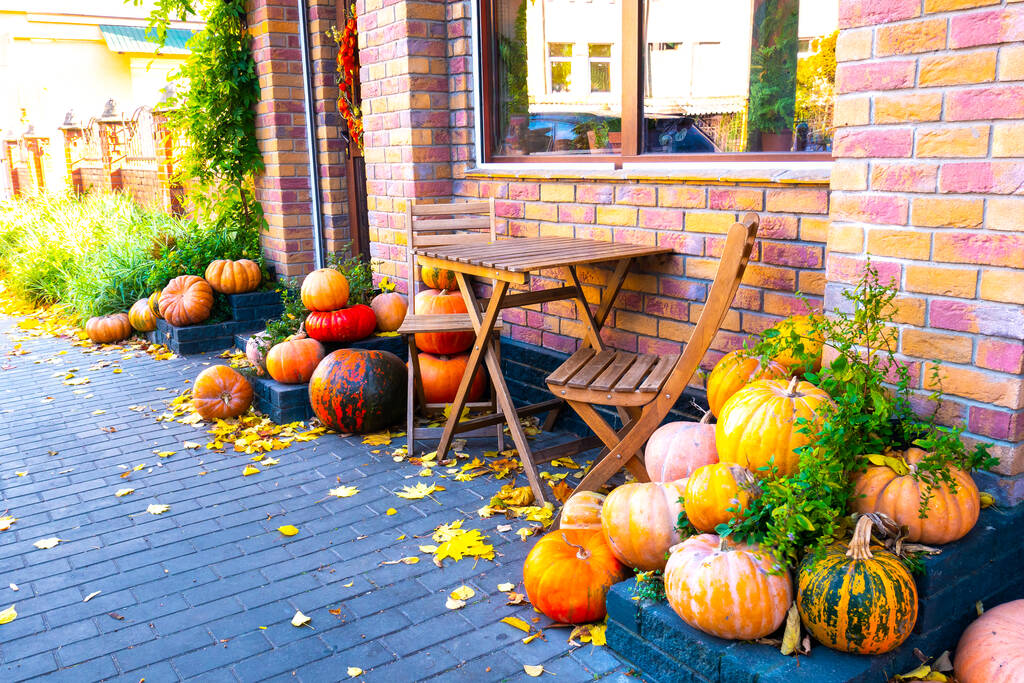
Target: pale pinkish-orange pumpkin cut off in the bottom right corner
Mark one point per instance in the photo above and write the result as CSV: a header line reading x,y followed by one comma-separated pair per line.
x,y
992,651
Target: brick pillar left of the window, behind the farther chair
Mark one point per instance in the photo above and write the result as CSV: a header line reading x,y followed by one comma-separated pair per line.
x,y
404,49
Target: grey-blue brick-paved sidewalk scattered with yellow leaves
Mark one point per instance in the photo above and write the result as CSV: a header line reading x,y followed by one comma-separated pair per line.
x,y
196,585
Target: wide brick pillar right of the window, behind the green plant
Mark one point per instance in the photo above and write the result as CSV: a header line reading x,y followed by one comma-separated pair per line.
x,y
927,184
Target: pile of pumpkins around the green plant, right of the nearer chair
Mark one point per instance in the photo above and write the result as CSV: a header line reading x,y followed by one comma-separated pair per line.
x,y
711,473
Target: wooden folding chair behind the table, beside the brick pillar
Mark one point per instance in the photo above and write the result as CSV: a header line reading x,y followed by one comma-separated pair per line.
x,y
432,226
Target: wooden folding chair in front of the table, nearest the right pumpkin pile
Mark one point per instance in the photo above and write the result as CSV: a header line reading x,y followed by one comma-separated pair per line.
x,y
645,388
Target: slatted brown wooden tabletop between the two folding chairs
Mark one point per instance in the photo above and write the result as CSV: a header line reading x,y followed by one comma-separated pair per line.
x,y
531,254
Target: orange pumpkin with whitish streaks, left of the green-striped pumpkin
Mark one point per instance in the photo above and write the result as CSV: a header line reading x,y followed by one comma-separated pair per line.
x,y
730,590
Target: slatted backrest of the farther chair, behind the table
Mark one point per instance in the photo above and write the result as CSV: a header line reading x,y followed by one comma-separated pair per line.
x,y
439,225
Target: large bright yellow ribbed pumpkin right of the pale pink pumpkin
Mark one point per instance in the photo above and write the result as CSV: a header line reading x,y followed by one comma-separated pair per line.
x,y
758,425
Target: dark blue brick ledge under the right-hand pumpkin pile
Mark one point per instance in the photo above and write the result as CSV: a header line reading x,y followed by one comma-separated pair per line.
x,y
984,566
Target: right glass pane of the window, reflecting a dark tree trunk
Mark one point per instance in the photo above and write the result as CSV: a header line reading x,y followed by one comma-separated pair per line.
x,y
763,84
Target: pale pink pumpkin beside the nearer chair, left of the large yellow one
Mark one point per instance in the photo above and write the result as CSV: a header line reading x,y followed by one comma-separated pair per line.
x,y
676,449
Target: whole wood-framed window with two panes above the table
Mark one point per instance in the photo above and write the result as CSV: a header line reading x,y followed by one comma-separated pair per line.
x,y
660,80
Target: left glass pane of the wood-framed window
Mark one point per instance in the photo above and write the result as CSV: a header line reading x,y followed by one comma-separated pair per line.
x,y
559,70
